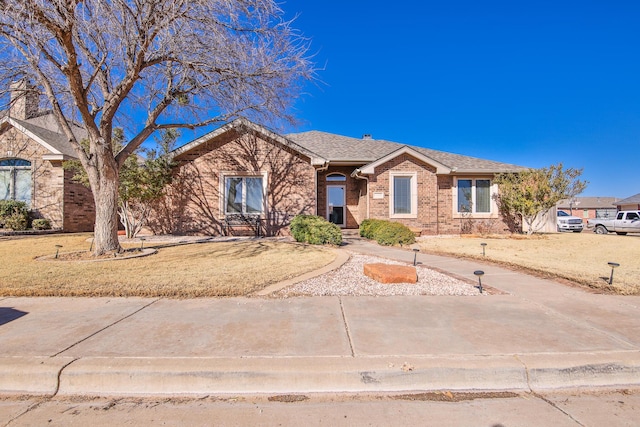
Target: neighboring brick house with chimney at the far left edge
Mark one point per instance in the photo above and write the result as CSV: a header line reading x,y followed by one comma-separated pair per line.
x,y
32,149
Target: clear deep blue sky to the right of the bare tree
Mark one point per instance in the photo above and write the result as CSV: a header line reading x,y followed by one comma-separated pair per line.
x,y
532,83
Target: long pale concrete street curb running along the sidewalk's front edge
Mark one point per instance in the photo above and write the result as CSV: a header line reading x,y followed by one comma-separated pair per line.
x,y
198,376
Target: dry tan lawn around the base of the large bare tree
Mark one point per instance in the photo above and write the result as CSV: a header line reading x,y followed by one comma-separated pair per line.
x,y
195,270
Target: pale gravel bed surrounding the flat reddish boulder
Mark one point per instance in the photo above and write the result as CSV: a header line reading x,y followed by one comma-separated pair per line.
x,y
349,280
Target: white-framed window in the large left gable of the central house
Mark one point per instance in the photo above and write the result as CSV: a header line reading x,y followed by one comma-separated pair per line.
x,y
243,195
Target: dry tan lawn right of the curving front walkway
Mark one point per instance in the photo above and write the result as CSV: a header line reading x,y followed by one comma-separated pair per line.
x,y
578,257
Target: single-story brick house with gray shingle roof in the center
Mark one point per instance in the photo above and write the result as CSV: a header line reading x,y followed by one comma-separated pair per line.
x,y
243,168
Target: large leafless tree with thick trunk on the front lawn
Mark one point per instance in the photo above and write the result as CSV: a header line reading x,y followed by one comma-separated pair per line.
x,y
162,63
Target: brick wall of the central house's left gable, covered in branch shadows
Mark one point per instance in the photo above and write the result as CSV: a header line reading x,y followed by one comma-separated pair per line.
x,y
194,204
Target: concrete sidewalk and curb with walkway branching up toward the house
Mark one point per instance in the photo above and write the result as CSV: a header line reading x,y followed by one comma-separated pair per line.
x,y
534,335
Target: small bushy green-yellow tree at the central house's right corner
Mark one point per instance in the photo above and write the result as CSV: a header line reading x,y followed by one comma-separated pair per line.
x,y
526,197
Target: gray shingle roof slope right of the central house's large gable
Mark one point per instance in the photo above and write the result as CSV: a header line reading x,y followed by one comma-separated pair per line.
x,y
338,148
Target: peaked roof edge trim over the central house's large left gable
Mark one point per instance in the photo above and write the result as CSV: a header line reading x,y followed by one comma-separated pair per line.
x,y
243,125
